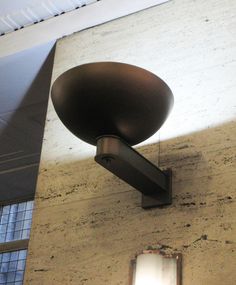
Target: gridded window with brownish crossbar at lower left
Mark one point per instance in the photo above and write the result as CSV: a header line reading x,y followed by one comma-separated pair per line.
x,y
15,223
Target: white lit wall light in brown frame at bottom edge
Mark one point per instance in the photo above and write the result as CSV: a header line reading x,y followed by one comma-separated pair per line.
x,y
153,268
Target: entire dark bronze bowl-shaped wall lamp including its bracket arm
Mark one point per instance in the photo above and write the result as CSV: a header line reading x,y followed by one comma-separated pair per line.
x,y
114,106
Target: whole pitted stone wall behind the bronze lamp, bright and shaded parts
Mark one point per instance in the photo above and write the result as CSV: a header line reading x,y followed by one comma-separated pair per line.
x,y
88,224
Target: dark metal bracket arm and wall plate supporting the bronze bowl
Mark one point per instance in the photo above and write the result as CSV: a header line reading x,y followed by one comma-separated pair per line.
x,y
129,165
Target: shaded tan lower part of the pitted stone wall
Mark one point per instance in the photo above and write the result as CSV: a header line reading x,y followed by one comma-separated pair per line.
x,y
92,219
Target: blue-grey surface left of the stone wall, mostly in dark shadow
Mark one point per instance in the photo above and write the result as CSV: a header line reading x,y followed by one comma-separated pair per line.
x,y
25,82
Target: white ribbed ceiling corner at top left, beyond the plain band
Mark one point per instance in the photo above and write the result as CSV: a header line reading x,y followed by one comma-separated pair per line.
x,y
18,14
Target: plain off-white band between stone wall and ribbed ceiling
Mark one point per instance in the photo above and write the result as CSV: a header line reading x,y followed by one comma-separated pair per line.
x,y
68,23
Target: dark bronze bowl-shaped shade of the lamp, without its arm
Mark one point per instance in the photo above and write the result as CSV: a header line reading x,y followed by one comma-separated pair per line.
x,y
110,98
